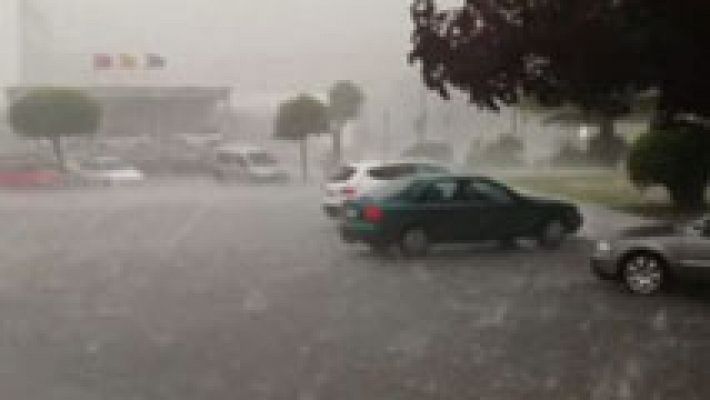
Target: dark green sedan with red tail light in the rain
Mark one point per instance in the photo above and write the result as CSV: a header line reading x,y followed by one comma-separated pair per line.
x,y
422,211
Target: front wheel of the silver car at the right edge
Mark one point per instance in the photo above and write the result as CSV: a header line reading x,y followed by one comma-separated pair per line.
x,y
643,273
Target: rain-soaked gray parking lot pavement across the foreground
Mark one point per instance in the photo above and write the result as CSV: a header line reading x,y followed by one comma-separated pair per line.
x,y
192,290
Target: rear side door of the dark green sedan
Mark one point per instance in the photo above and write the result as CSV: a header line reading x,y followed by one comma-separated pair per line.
x,y
438,211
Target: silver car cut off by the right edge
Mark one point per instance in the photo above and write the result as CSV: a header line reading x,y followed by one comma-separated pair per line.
x,y
645,259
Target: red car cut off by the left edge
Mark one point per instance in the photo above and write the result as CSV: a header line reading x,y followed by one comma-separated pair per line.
x,y
20,173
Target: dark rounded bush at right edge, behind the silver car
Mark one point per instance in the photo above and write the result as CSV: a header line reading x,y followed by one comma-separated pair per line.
x,y
677,158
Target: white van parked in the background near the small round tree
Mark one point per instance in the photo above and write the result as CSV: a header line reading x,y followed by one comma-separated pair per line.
x,y
247,163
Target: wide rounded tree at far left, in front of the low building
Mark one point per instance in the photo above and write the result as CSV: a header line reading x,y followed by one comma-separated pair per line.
x,y
54,113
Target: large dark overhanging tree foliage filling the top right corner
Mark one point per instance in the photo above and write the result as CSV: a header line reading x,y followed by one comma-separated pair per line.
x,y
598,55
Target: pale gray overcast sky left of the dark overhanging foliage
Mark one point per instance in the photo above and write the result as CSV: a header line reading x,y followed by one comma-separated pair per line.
x,y
260,46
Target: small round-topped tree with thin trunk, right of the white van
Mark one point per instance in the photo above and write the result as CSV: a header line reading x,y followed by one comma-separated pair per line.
x,y
299,117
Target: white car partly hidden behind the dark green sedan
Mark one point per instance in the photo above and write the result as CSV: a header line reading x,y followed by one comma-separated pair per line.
x,y
352,180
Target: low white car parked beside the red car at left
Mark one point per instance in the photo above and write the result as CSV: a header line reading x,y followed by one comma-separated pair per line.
x,y
104,171
